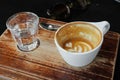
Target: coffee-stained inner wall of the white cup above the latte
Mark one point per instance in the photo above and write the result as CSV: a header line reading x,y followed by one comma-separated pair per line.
x,y
81,30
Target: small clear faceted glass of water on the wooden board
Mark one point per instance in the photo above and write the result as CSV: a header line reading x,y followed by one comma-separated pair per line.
x,y
24,29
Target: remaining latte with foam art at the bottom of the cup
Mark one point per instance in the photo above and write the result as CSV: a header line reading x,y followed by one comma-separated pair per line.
x,y
77,45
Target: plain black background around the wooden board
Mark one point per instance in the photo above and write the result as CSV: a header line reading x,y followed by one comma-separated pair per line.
x,y
99,10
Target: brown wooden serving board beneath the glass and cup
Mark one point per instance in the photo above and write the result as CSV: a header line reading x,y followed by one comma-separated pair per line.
x,y
45,63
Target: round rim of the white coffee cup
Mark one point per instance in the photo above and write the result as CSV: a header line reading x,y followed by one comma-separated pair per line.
x,y
77,53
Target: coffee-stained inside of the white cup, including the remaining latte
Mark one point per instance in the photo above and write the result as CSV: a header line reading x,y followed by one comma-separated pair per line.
x,y
79,37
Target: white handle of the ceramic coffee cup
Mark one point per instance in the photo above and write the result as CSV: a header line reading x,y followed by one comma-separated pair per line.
x,y
104,26
